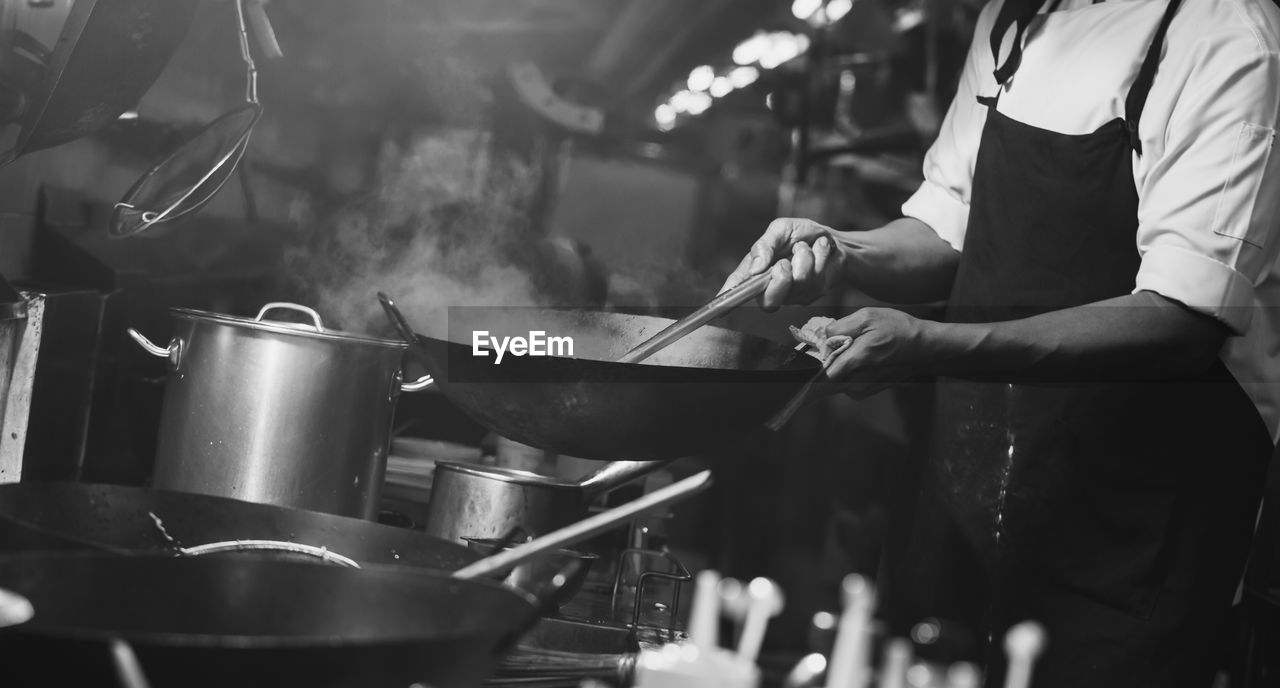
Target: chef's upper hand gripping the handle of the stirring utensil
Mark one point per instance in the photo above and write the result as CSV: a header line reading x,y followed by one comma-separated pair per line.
x,y
806,259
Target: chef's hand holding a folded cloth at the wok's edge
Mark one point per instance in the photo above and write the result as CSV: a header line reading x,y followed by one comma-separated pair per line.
x,y
889,347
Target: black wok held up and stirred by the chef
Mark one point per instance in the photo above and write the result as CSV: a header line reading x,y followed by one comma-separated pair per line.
x,y
708,388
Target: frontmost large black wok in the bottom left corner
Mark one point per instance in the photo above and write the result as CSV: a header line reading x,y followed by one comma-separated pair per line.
x,y
223,622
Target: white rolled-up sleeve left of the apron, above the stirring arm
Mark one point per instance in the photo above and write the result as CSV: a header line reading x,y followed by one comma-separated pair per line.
x,y
943,200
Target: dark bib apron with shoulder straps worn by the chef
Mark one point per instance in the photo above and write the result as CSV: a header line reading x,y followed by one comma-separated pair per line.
x,y
1117,513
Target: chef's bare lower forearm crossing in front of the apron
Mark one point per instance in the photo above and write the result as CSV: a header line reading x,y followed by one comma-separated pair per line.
x,y
1141,336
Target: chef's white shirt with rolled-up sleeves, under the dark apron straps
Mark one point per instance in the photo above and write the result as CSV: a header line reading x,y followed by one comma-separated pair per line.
x,y
1209,186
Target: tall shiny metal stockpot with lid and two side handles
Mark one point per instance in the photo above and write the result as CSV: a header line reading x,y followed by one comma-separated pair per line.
x,y
277,412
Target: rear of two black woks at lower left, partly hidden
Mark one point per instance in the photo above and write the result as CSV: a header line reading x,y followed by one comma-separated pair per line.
x,y
54,516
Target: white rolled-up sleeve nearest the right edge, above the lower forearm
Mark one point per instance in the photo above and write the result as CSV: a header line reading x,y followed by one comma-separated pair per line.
x,y
1209,213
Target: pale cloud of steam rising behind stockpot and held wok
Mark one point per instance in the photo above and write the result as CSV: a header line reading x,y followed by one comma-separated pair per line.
x,y
449,226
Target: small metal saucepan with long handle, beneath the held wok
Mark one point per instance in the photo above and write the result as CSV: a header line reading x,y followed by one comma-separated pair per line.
x,y
488,502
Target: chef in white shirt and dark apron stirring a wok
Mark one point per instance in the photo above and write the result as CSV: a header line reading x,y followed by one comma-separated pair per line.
x,y
1101,214
